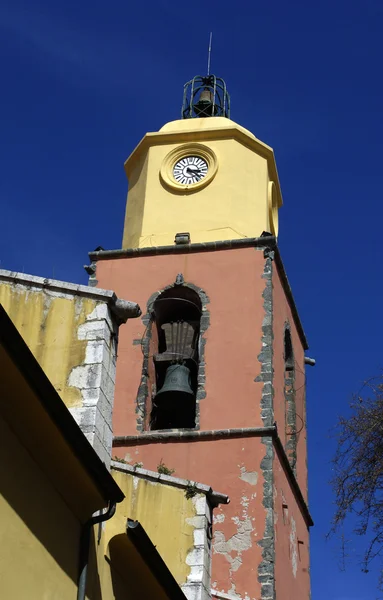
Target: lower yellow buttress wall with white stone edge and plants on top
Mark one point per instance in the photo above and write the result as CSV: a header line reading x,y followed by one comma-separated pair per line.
x,y
177,516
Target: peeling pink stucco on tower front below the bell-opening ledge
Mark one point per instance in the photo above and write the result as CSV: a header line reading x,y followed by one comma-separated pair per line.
x,y
233,468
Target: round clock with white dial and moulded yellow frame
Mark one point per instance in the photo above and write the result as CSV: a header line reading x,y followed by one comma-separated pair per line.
x,y
189,168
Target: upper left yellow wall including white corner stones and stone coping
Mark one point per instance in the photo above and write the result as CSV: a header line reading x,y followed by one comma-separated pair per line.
x,y
72,332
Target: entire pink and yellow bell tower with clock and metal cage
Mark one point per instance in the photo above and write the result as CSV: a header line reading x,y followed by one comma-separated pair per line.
x,y
211,380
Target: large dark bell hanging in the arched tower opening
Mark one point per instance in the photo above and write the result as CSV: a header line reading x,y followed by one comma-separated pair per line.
x,y
176,388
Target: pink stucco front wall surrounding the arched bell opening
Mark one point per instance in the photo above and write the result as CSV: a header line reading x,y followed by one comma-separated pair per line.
x,y
232,280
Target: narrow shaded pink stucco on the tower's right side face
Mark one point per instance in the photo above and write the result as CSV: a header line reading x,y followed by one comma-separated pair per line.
x,y
292,577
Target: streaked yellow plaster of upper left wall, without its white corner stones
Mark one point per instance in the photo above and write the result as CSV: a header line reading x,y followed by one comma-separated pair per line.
x,y
49,325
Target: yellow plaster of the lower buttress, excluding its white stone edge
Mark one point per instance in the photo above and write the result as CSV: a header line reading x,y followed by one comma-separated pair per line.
x,y
164,512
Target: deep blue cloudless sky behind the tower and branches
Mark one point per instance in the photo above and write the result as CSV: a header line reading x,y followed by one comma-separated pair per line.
x,y
83,81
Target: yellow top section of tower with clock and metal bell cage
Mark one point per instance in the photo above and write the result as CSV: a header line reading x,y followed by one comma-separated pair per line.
x,y
203,174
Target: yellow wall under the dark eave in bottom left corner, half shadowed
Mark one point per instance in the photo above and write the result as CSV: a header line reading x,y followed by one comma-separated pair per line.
x,y
39,535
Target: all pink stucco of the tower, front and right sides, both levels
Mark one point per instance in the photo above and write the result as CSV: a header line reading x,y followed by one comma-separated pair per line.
x,y
232,279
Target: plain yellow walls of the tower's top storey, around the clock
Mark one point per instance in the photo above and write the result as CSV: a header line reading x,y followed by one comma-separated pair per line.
x,y
234,205
